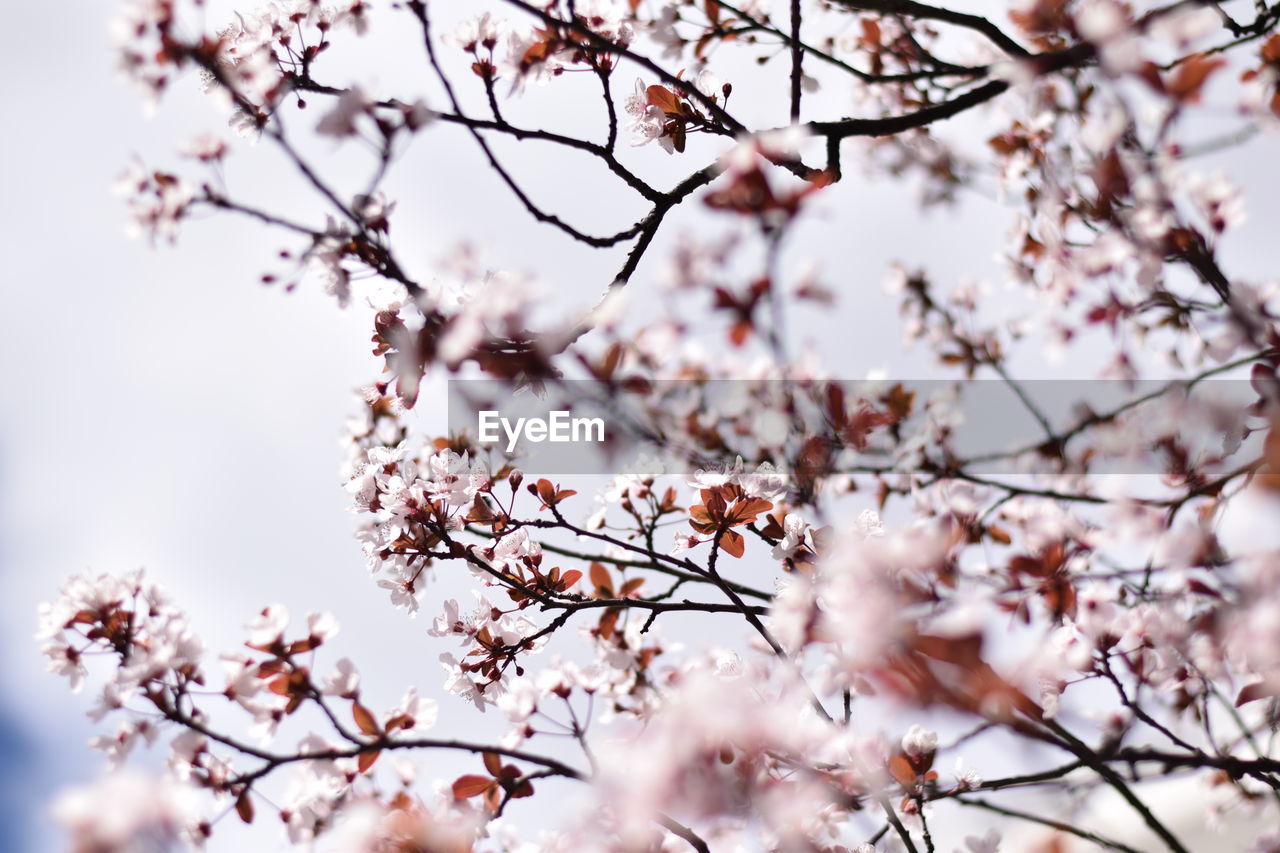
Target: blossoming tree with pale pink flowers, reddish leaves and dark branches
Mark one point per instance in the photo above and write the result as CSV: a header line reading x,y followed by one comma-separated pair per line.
x,y
880,610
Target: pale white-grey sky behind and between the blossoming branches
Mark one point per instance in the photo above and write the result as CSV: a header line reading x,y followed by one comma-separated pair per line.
x,y
163,409
